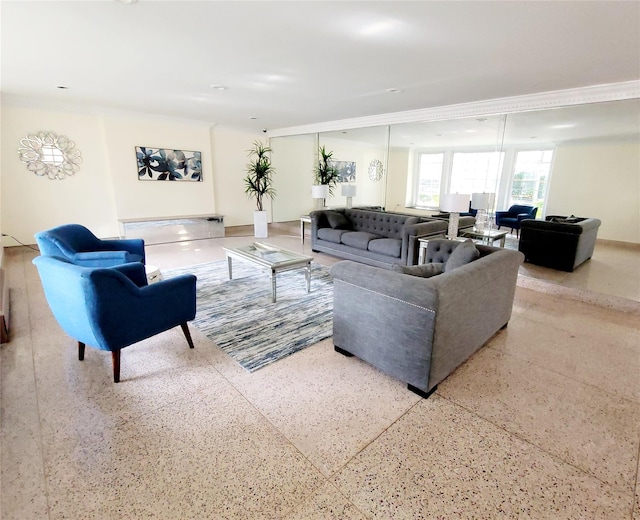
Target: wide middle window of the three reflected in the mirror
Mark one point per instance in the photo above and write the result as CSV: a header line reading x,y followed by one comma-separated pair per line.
x,y
475,172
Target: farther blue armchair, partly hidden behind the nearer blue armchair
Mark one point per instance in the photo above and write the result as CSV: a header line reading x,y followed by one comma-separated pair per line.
x,y
81,247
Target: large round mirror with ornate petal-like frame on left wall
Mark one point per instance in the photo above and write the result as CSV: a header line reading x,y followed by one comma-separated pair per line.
x,y
49,154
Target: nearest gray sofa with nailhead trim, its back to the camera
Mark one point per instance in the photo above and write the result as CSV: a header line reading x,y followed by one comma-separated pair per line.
x,y
420,323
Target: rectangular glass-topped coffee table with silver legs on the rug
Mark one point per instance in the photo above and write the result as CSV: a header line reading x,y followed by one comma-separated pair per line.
x,y
271,258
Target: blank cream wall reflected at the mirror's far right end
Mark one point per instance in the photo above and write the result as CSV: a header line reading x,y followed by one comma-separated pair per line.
x,y
602,180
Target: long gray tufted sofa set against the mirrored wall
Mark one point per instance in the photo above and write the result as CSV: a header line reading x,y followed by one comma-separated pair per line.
x,y
372,237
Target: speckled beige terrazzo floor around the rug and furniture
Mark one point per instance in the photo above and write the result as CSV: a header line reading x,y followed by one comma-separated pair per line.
x,y
542,423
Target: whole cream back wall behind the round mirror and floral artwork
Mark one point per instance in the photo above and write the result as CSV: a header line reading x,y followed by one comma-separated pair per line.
x,y
107,187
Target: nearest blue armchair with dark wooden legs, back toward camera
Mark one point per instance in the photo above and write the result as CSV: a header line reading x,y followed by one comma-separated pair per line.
x,y
112,308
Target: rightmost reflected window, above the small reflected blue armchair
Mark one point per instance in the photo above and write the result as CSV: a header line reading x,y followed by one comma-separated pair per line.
x,y
531,177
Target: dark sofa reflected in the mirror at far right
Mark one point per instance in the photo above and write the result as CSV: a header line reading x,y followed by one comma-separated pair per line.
x,y
558,242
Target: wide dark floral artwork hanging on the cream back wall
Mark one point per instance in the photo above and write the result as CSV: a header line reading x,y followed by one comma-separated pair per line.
x,y
158,164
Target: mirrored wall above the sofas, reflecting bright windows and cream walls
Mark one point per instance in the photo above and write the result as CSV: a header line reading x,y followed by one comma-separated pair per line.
x,y
582,160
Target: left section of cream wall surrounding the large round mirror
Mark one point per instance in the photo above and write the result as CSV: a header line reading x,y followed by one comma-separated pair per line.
x,y
31,203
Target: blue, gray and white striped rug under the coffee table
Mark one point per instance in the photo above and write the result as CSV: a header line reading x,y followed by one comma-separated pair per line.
x,y
239,317
